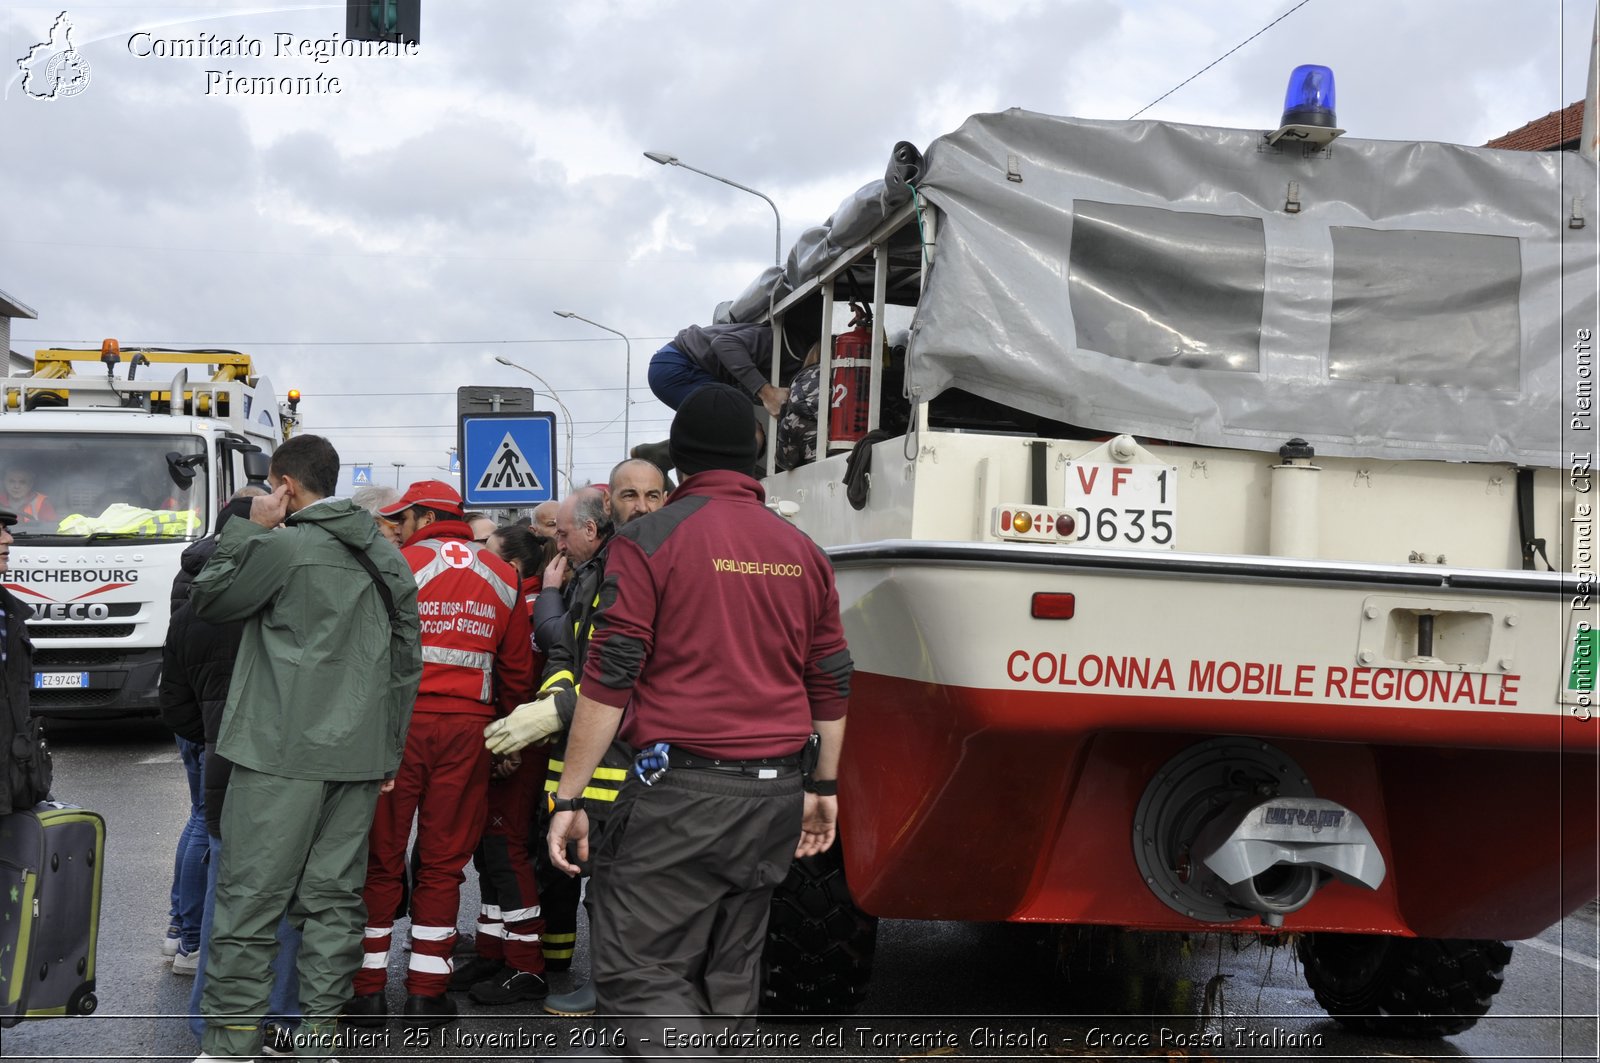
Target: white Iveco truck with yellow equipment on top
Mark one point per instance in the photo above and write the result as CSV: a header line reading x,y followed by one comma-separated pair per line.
x,y
118,475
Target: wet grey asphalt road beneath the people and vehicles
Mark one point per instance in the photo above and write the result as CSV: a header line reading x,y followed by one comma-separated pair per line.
x,y
975,992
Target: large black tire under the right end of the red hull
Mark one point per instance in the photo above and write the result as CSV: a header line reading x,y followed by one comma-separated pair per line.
x,y
1404,987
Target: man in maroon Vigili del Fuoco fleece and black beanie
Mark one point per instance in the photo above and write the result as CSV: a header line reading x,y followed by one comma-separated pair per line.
x,y
719,633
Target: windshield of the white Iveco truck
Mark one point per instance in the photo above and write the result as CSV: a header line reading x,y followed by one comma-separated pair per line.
x,y
105,486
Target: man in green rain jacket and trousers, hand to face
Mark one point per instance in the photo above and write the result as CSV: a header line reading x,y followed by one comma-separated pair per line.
x,y
314,724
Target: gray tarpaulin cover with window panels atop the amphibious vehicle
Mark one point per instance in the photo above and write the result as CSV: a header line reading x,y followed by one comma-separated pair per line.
x,y
1150,278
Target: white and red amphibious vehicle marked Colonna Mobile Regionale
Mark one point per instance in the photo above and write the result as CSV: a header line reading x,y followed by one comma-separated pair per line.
x,y
1212,545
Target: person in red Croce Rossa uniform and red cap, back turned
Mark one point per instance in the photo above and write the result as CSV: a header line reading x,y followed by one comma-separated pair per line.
x,y
478,664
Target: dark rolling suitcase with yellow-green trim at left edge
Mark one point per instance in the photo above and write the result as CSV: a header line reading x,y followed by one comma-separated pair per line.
x,y
52,862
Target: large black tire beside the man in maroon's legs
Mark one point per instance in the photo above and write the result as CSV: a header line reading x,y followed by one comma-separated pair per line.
x,y
820,945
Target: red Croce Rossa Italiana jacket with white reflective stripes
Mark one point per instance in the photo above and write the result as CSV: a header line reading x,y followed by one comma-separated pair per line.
x,y
478,652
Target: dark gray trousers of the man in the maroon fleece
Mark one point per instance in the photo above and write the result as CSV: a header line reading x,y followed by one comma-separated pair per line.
x,y
684,881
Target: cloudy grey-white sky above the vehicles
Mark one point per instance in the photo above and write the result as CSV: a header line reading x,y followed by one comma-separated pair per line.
x,y
382,246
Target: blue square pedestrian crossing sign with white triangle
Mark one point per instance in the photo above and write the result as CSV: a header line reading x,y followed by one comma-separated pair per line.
x,y
508,459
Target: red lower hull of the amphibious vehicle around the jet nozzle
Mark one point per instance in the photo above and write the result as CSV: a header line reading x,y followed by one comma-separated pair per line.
x,y
1018,804
